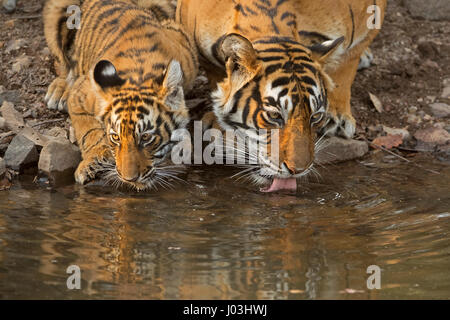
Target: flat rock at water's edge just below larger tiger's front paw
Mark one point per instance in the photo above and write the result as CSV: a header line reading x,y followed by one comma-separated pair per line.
x,y
338,149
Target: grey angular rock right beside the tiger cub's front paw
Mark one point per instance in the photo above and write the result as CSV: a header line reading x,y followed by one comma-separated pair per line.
x,y
59,160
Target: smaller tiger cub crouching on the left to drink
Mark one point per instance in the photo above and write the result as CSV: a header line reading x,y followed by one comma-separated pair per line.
x,y
122,76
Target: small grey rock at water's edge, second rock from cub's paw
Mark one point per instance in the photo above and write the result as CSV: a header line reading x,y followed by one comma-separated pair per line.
x,y
21,153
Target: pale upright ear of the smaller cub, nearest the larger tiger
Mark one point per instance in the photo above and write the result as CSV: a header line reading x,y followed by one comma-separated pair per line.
x,y
173,86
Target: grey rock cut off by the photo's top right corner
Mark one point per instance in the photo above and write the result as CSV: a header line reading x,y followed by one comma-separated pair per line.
x,y
430,9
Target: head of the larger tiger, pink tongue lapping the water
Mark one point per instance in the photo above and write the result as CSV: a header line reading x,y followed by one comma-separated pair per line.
x,y
275,83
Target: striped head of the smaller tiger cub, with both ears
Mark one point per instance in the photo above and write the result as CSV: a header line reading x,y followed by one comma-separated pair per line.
x,y
139,123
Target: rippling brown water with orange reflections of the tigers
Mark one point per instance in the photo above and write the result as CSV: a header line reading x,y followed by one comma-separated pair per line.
x,y
217,239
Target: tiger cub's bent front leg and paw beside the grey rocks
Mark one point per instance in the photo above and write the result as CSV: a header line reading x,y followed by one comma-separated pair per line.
x,y
90,133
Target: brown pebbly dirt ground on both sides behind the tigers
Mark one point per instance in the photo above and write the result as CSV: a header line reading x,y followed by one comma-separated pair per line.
x,y
412,61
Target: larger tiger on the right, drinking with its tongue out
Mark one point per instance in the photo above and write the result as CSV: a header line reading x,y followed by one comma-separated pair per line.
x,y
282,64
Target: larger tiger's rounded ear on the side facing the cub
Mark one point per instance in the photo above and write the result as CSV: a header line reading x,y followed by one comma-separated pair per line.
x,y
240,59
